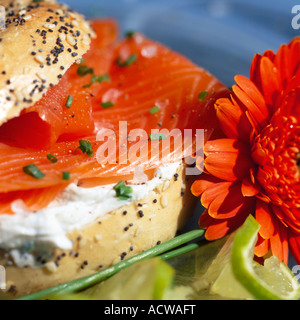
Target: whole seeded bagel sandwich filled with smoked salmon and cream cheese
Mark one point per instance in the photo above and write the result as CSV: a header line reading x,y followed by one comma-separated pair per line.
x,y
64,219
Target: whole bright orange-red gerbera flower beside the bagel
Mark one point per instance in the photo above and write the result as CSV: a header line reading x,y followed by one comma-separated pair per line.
x,y
255,168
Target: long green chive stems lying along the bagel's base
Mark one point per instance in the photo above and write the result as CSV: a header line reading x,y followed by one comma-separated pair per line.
x,y
83,283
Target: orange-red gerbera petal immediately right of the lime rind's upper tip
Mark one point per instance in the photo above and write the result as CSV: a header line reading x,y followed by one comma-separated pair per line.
x,y
263,215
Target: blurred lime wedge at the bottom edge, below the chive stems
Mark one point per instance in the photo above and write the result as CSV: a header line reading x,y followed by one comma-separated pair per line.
x,y
145,280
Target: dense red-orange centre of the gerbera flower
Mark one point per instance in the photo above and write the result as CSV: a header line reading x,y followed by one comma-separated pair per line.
x,y
276,152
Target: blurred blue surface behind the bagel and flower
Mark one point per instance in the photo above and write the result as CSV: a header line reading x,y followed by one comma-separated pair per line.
x,y
219,35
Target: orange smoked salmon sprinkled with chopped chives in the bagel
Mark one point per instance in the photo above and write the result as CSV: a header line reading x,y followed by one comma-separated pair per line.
x,y
135,81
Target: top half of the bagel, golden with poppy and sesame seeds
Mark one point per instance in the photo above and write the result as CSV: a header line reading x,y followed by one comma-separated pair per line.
x,y
39,41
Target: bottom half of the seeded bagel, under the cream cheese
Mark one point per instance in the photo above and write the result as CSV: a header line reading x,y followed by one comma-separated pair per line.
x,y
120,234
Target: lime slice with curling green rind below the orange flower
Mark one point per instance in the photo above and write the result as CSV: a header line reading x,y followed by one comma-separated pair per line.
x,y
239,277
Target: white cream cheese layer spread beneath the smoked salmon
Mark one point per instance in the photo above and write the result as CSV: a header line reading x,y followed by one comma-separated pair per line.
x,y
24,232
